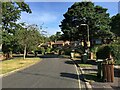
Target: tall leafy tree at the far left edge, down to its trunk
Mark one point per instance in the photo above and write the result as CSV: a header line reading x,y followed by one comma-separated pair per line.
x,y
11,12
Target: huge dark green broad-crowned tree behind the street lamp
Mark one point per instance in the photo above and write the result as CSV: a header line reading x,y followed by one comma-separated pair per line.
x,y
96,17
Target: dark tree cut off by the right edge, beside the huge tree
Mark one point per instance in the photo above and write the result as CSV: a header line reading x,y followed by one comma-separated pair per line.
x,y
115,24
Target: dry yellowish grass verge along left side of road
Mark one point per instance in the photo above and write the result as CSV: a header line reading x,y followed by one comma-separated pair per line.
x,y
16,63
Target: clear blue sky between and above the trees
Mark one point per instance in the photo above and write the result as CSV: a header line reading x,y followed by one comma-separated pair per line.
x,y
51,13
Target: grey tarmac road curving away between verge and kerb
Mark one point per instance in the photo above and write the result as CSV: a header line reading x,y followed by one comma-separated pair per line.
x,y
49,73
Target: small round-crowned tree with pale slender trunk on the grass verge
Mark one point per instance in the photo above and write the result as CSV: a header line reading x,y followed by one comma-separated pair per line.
x,y
29,38
